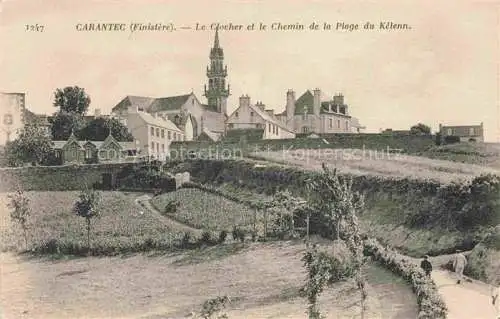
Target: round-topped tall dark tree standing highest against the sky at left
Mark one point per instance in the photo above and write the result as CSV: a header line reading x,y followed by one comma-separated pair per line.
x,y
72,99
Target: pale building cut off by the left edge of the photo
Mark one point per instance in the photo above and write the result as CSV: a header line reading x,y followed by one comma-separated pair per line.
x,y
12,106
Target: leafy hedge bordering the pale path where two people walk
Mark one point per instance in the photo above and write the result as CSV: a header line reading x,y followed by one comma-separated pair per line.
x,y
430,303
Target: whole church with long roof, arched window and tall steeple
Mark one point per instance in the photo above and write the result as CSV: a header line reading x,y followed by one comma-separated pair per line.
x,y
186,111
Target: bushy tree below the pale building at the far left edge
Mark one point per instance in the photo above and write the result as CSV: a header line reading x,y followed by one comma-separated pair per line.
x,y
32,145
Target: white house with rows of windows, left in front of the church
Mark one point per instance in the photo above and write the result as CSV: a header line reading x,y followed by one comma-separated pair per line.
x,y
153,132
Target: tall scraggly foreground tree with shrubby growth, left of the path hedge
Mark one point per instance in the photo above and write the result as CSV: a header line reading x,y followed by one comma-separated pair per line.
x,y
334,199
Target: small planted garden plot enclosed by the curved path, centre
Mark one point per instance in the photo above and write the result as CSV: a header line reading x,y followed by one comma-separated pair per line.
x,y
203,210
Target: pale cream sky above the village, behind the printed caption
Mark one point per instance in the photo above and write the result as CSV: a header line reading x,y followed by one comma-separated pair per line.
x,y
445,69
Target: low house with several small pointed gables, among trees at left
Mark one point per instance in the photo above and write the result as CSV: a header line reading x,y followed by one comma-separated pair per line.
x,y
87,152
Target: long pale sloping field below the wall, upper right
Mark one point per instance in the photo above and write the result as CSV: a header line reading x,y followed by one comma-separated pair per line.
x,y
380,163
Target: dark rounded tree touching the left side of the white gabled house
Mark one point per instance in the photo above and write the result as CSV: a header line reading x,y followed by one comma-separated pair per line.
x,y
99,129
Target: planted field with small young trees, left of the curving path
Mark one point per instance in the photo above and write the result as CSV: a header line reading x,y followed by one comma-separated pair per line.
x,y
120,228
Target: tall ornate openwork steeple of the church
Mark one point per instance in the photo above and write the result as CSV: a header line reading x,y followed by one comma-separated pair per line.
x,y
217,92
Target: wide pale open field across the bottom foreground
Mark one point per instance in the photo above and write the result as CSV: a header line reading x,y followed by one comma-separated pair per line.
x,y
262,280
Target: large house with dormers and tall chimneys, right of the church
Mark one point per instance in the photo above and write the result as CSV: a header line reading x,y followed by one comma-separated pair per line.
x,y
315,112
